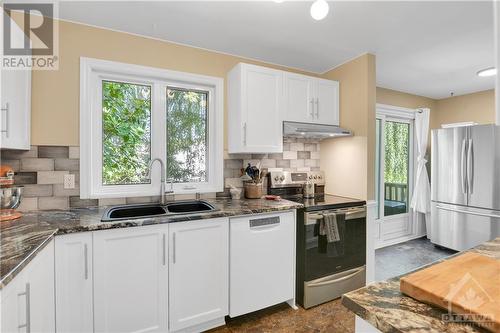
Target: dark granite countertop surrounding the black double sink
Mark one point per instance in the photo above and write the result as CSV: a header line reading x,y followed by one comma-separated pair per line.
x,y
21,239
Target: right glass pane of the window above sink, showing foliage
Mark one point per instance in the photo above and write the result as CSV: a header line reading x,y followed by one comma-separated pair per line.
x,y
186,135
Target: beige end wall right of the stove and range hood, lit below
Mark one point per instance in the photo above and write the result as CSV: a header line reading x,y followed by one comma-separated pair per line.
x,y
349,162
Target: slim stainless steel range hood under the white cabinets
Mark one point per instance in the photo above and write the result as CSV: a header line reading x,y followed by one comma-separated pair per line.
x,y
315,131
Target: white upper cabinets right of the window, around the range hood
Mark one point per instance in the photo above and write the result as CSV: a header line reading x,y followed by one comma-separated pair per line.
x,y
261,98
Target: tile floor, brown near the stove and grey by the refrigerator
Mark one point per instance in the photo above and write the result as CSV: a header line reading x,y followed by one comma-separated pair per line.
x,y
333,317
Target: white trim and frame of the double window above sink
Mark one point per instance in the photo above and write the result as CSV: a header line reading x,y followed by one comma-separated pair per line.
x,y
92,71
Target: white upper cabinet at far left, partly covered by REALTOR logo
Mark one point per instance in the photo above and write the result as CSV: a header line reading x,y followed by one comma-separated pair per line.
x,y
15,103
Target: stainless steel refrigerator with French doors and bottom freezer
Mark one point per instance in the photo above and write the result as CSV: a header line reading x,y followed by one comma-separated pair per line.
x,y
465,186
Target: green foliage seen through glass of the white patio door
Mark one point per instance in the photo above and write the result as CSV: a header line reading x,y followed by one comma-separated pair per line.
x,y
396,152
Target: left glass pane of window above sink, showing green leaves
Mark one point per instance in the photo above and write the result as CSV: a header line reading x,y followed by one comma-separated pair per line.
x,y
126,122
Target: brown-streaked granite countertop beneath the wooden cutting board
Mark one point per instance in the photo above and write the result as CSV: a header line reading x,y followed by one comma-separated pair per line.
x,y
386,308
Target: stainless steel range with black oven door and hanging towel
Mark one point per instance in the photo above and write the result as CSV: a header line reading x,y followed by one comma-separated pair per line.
x,y
329,263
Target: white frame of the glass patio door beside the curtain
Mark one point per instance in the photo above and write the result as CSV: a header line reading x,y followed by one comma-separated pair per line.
x,y
401,115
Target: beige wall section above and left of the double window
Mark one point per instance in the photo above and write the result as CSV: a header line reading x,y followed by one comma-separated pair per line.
x,y
55,94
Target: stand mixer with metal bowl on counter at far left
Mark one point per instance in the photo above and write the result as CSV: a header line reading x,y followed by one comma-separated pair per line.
x,y
10,195
